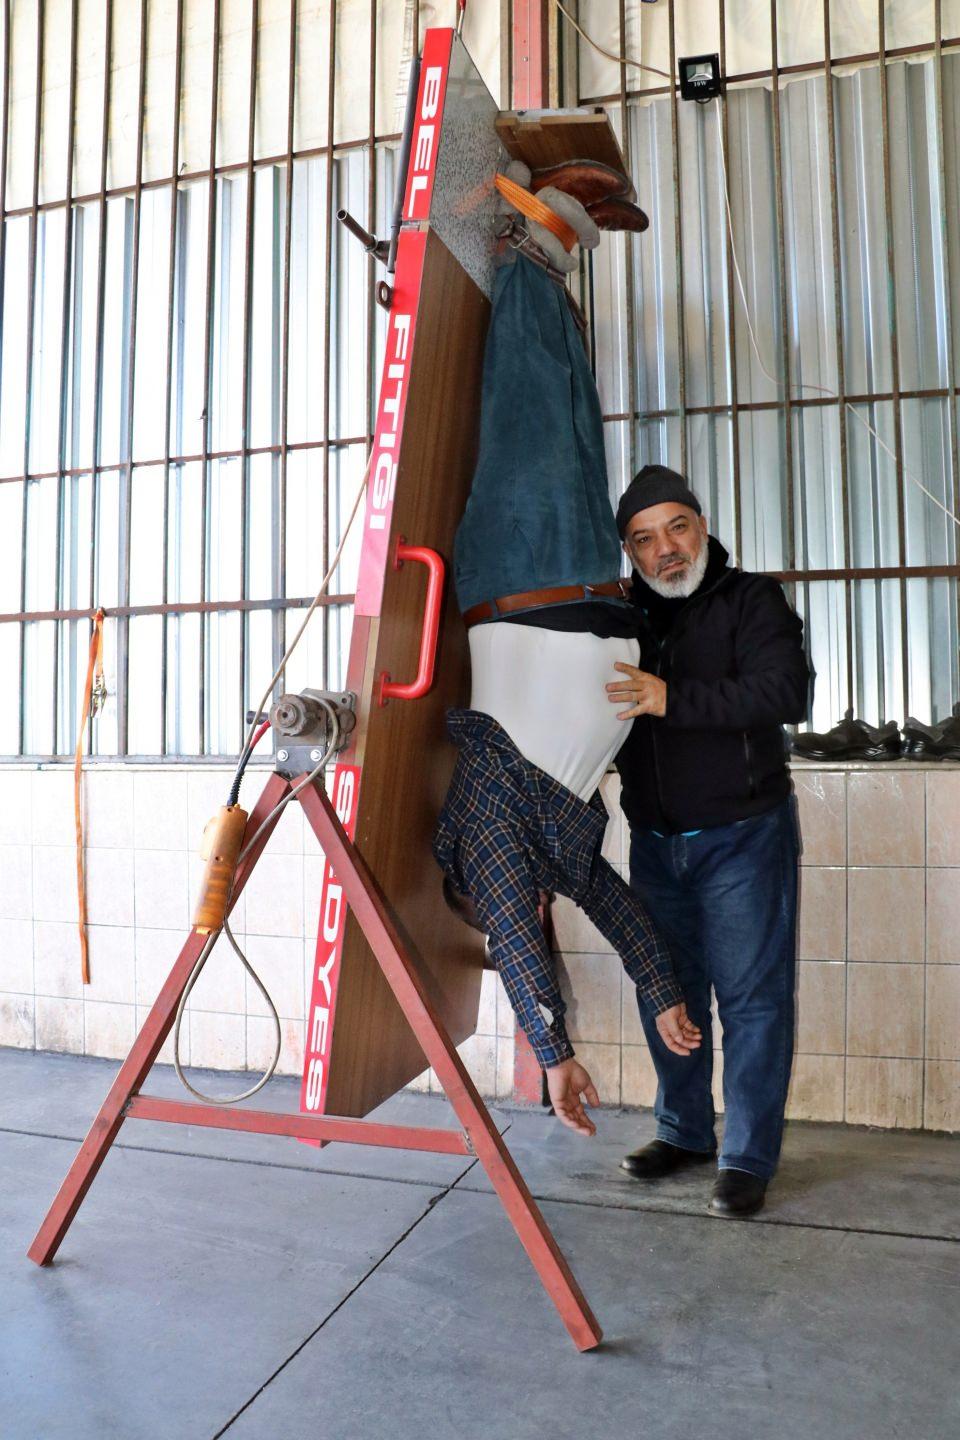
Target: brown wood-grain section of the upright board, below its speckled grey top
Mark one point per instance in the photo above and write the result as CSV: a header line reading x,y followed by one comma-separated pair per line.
x,y
402,748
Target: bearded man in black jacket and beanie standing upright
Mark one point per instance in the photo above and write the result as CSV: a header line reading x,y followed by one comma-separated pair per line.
x,y
715,843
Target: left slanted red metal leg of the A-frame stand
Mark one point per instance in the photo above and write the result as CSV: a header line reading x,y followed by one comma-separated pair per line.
x,y
137,1065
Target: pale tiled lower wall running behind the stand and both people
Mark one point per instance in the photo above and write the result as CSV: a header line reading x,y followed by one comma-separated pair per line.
x,y
879,994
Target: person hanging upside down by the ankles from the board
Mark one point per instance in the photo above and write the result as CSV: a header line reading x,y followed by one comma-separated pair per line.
x,y
538,565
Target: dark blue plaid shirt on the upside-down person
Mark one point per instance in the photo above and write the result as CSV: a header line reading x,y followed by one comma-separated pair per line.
x,y
509,832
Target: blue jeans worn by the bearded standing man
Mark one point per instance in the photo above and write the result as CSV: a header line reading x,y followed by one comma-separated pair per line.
x,y
726,902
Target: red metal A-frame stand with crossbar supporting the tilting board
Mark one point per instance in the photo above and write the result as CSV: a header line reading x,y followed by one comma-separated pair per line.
x,y
479,1137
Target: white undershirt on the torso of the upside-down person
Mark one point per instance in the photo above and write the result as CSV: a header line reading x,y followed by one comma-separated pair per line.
x,y
548,690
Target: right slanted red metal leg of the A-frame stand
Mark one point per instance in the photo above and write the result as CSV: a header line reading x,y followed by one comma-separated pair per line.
x,y
363,896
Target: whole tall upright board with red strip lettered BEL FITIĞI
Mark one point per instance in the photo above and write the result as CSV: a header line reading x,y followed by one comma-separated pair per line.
x,y
392,780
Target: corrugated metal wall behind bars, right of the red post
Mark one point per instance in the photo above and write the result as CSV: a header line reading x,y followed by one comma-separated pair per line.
x,y
851,274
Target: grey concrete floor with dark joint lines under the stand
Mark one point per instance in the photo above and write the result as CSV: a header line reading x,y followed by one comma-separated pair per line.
x,y
225,1285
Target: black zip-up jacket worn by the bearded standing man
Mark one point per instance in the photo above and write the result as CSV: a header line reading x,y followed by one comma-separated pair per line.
x,y
736,673
